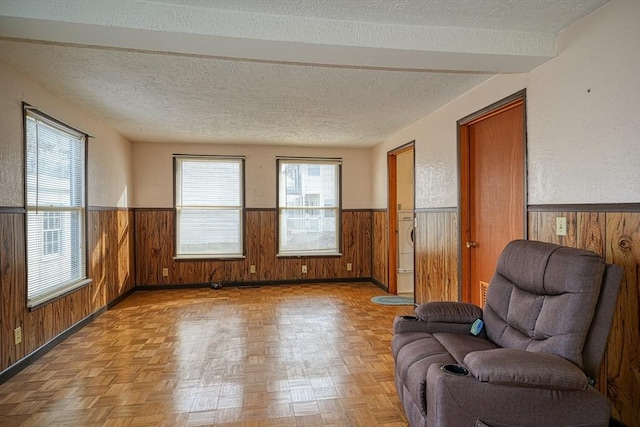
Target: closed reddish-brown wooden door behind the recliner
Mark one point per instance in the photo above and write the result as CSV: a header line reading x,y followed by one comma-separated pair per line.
x,y
492,148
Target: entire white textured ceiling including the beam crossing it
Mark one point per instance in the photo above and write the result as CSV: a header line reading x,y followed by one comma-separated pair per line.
x,y
313,72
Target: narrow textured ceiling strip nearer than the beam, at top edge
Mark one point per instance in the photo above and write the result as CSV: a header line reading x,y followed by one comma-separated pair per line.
x,y
548,16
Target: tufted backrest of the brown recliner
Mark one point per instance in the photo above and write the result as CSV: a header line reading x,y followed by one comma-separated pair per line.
x,y
543,297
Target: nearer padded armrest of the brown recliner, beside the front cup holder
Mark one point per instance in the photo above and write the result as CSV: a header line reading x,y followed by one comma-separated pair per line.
x,y
522,368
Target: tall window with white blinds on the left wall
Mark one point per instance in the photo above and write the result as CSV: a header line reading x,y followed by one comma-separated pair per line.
x,y
55,205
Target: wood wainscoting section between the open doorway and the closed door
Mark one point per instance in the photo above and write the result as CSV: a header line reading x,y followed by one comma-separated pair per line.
x,y
436,255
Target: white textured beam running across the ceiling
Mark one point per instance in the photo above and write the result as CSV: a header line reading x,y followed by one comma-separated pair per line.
x,y
177,29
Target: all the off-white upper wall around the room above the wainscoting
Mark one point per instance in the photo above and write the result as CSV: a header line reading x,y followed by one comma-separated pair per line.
x,y
583,146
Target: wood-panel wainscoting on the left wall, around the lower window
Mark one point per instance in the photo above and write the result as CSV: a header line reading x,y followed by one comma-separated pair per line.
x,y
110,261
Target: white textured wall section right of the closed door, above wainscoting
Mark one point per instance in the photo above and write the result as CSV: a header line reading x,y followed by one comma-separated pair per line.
x,y
584,112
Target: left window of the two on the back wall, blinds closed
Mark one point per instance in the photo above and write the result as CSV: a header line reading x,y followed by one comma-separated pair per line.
x,y
209,202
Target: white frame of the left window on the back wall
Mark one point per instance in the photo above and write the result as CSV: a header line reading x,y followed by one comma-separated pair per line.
x,y
181,206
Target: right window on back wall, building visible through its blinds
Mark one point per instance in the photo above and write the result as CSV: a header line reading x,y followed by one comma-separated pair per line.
x,y
308,222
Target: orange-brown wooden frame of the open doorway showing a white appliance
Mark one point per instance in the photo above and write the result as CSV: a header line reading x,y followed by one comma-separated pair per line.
x,y
392,205
